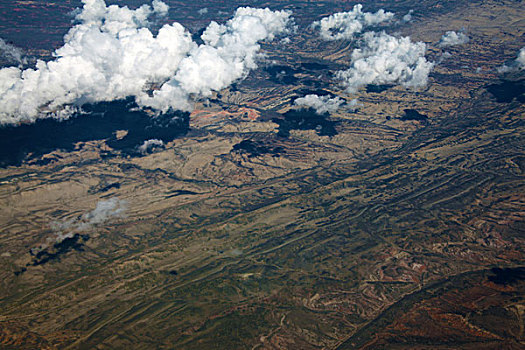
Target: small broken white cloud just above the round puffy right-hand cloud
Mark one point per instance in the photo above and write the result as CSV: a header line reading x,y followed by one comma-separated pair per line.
x,y
344,25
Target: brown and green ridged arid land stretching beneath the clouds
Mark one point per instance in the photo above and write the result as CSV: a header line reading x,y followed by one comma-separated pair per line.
x,y
397,225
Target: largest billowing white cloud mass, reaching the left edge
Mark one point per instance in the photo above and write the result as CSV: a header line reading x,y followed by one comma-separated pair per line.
x,y
107,56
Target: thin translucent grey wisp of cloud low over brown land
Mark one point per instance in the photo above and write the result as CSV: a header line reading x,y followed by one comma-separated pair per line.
x,y
105,211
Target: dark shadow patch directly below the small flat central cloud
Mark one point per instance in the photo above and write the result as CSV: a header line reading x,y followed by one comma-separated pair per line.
x,y
305,119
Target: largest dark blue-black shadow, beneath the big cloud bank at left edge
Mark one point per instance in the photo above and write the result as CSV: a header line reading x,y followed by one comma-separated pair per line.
x,y
96,122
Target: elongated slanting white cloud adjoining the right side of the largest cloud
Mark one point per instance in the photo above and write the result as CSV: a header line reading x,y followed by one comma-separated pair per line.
x,y
229,52
